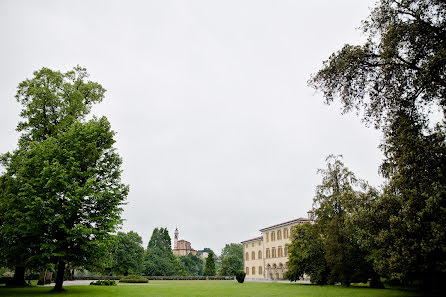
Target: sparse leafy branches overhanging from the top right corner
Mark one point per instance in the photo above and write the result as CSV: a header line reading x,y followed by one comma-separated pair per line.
x,y
401,66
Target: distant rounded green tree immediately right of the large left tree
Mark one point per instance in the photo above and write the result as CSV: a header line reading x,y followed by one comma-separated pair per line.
x,y
127,254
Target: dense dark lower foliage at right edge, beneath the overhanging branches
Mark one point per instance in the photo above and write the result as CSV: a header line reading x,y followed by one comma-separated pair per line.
x,y
409,239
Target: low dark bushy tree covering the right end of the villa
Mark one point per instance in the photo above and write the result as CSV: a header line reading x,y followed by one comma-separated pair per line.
x,y
307,255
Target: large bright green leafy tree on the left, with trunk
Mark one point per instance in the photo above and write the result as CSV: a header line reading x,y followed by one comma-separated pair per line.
x,y
61,194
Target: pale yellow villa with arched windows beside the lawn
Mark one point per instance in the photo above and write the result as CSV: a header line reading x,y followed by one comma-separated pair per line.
x,y
266,256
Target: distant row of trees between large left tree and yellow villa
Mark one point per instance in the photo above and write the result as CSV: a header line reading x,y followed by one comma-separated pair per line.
x,y
129,257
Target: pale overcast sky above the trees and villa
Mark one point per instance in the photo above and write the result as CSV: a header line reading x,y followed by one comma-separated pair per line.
x,y
219,133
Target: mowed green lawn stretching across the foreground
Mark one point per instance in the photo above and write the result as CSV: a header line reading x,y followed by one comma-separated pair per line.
x,y
208,288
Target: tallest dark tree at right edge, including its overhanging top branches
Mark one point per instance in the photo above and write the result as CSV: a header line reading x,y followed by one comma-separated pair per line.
x,y
395,80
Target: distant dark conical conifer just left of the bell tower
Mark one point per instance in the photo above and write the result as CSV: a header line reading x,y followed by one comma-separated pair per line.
x,y
159,258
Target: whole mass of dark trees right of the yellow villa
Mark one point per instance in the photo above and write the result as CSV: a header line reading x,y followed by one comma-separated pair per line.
x,y
396,81
